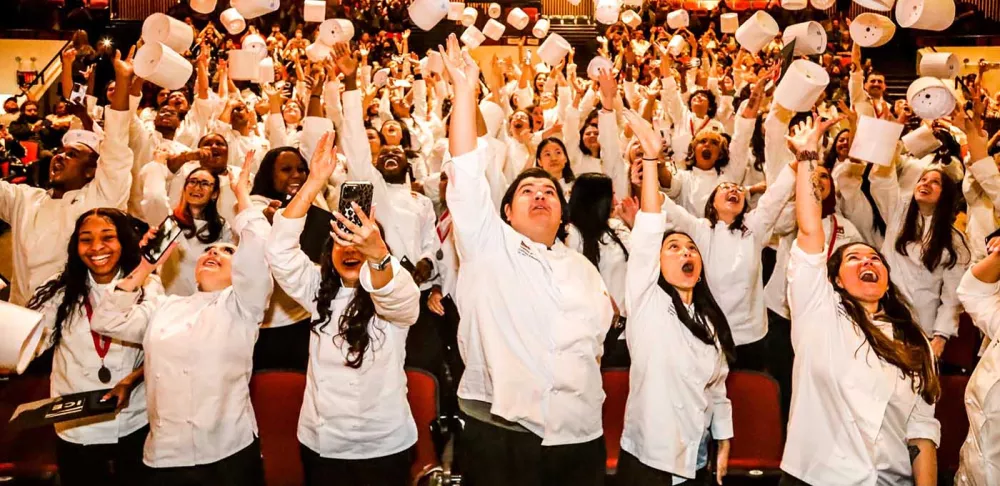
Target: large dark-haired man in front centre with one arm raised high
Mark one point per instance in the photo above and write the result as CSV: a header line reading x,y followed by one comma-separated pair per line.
x,y
534,316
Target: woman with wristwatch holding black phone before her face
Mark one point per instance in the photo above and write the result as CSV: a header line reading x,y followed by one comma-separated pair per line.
x,y
355,426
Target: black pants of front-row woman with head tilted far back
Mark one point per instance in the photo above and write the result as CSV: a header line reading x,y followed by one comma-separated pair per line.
x,y
243,468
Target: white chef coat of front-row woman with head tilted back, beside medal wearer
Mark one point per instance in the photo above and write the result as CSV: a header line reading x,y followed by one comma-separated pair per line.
x,y
199,356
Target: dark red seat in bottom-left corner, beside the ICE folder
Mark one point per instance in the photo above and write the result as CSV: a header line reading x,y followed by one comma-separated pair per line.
x,y
25,454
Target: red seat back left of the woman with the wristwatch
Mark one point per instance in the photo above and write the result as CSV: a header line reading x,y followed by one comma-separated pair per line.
x,y
277,399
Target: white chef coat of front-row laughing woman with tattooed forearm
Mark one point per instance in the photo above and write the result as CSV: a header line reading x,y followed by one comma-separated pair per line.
x,y
852,412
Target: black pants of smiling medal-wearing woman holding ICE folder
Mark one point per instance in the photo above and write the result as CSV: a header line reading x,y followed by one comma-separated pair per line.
x,y
106,464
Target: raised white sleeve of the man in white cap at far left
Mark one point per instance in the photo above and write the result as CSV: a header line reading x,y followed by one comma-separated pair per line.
x,y
110,187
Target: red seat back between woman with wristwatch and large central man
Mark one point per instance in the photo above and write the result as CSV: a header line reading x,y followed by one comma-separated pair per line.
x,y
422,393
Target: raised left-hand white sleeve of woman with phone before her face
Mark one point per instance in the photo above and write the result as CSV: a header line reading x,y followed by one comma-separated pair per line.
x,y
295,273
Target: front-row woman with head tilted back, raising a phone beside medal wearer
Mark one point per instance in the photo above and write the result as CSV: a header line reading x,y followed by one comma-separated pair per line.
x,y
199,352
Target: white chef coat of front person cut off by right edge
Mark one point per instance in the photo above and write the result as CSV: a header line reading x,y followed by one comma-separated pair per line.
x,y
979,459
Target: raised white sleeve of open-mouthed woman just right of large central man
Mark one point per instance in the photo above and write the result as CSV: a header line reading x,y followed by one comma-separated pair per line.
x,y
643,267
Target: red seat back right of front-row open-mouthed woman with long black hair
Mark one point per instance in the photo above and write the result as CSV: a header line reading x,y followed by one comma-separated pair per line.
x,y
758,437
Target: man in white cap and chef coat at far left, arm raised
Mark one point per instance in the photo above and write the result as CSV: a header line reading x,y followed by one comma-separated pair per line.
x,y
85,174
